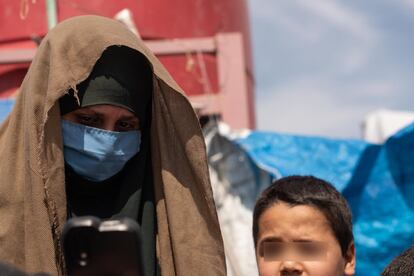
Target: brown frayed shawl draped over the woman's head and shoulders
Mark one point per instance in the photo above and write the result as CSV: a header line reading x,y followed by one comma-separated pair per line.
x,y
32,190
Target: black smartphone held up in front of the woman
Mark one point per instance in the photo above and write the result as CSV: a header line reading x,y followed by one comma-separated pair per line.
x,y
102,247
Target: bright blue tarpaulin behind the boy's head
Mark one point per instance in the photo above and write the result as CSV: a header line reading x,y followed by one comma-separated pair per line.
x,y
377,180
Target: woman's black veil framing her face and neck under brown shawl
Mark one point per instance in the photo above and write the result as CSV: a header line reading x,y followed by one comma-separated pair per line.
x,y
121,77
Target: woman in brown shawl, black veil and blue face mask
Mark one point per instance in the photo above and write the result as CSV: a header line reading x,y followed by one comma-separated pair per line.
x,y
161,181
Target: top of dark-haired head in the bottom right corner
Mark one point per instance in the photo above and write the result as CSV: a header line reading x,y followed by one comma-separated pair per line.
x,y
401,265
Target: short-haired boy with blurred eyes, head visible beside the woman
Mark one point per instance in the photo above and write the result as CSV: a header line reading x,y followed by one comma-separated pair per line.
x,y
303,226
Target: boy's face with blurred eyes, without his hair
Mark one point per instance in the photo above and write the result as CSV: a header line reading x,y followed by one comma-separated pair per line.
x,y
299,241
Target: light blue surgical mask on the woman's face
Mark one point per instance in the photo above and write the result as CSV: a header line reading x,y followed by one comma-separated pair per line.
x,y
97,154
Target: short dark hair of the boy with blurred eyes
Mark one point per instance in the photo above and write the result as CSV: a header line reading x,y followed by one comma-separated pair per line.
x,y
312,191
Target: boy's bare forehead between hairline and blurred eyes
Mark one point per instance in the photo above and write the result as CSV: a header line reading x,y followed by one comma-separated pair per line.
x,y
288,223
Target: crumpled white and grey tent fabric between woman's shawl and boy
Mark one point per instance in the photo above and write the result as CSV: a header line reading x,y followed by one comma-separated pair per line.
x,y
234,179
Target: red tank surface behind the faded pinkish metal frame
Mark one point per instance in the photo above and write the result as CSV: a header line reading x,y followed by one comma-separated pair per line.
x,y
155,19
